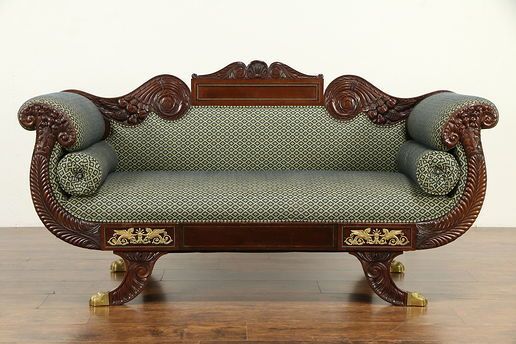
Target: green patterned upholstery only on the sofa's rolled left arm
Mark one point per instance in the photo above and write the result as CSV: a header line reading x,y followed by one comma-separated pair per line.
x,y
84,115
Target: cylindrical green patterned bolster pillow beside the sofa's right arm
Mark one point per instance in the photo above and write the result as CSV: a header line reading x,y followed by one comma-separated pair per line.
x,y
436,172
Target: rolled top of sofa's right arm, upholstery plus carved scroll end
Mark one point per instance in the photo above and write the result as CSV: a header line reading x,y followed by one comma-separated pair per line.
x,y
438,121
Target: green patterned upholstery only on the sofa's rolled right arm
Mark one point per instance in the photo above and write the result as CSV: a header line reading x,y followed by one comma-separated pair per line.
x,y
427,119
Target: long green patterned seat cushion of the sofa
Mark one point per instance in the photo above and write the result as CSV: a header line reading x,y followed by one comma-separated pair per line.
x,y
262,196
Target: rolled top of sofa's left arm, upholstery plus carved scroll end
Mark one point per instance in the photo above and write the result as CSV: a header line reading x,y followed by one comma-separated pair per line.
x,y
71,119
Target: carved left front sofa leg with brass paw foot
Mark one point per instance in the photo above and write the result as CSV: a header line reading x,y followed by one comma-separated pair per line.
x,y
139,267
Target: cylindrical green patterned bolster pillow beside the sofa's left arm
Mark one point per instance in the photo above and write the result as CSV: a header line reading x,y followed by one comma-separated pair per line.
x,y
82,173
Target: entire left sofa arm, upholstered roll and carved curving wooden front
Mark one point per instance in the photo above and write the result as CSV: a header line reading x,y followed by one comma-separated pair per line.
x,y
75,123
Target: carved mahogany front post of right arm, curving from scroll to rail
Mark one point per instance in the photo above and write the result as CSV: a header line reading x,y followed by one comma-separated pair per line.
x,y
463,127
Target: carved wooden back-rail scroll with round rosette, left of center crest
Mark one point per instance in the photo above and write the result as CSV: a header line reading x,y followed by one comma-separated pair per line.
x,y
165,95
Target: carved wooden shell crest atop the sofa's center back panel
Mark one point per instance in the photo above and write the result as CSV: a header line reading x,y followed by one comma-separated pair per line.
x,y
256,70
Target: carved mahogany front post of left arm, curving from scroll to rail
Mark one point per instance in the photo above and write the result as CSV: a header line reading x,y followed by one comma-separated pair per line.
x,y
53,126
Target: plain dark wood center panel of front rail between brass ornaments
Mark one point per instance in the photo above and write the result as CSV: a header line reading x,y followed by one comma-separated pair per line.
x,y
259,236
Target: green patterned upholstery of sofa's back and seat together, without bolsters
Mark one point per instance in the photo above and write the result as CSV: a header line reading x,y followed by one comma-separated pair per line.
x,y
256,164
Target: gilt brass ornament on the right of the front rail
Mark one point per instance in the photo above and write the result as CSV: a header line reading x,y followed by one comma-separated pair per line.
x,y
394,237
